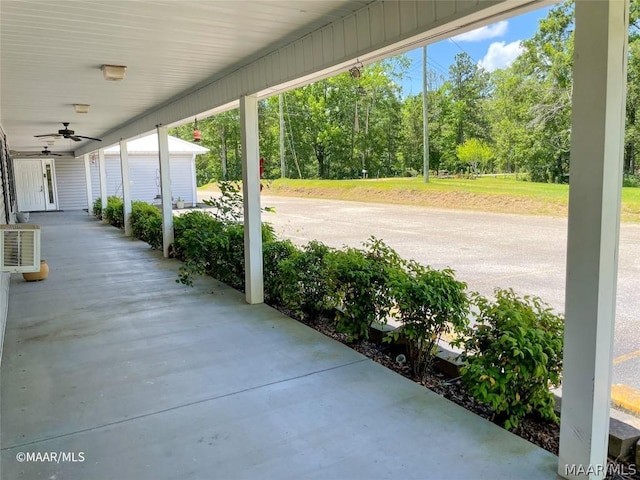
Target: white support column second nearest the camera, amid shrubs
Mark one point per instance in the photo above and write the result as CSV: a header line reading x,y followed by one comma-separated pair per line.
x,y
254,281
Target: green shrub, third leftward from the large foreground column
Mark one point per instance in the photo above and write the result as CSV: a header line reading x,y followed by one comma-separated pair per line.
x,y
362,286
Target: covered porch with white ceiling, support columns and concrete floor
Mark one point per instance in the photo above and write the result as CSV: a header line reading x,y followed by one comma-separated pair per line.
x,y
191,59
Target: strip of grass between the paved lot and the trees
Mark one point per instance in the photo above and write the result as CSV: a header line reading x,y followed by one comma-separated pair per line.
x,y
490,194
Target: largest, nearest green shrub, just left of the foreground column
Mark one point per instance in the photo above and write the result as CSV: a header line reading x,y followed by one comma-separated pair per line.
x,y
513,356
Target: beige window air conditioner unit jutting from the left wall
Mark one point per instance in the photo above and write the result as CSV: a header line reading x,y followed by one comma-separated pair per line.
x,y
20,248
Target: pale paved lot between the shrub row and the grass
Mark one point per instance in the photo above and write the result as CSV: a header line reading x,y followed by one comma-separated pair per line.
x,y
526,253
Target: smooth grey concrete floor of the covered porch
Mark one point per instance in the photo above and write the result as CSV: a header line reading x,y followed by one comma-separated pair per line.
x,y
113,363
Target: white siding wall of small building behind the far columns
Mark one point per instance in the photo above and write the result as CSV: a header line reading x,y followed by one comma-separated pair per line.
x,y
144,175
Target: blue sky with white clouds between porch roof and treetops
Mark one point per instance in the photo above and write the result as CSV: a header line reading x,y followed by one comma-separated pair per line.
x,y
494,46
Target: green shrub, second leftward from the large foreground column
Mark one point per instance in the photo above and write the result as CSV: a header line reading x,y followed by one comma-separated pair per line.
x,y
429,303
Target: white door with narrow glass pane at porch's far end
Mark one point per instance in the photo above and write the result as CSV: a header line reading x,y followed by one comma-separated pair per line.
x,y
35,185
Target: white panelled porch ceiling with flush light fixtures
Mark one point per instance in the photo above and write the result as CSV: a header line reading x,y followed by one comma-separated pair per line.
x,y
51,53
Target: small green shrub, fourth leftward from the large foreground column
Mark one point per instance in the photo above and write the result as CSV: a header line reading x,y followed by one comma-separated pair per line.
x,y
306,287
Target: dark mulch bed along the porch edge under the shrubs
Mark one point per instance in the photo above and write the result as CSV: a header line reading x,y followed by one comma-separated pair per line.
x,y
538,431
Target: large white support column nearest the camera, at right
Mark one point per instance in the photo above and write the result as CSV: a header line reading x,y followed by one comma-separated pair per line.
x,y
592,247
